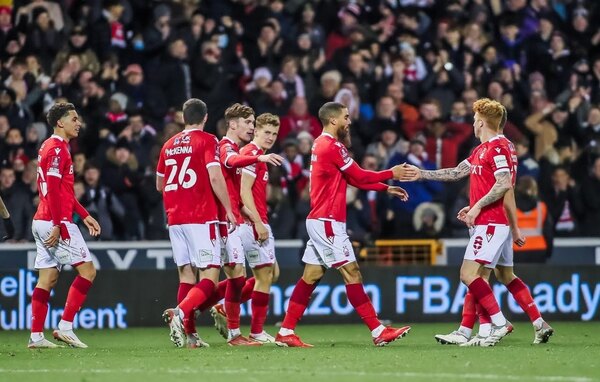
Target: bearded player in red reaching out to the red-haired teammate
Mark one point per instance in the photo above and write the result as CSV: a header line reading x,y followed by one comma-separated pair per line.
x,y
329,246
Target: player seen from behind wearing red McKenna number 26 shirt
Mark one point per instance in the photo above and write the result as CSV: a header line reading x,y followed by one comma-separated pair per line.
x,y
189,176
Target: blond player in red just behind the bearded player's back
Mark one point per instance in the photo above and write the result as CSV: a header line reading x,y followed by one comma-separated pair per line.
x,y
256,233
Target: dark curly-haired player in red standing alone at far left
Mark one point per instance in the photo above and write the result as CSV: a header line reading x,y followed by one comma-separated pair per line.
x,y
57,238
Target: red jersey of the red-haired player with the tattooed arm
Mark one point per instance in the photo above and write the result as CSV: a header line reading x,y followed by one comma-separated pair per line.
x,y
488,159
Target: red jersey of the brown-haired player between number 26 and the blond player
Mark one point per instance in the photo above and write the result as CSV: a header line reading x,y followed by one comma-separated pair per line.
x,y
228,149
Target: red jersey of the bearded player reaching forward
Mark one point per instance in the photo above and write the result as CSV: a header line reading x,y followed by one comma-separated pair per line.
x,y
327,183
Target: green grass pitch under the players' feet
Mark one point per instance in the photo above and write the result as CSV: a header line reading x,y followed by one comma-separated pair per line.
x,y
341,353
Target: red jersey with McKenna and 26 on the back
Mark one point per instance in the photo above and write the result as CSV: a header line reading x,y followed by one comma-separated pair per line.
x,y
183,163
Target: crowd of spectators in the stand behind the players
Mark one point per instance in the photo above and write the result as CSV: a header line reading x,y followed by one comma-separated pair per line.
x,y
408,70
